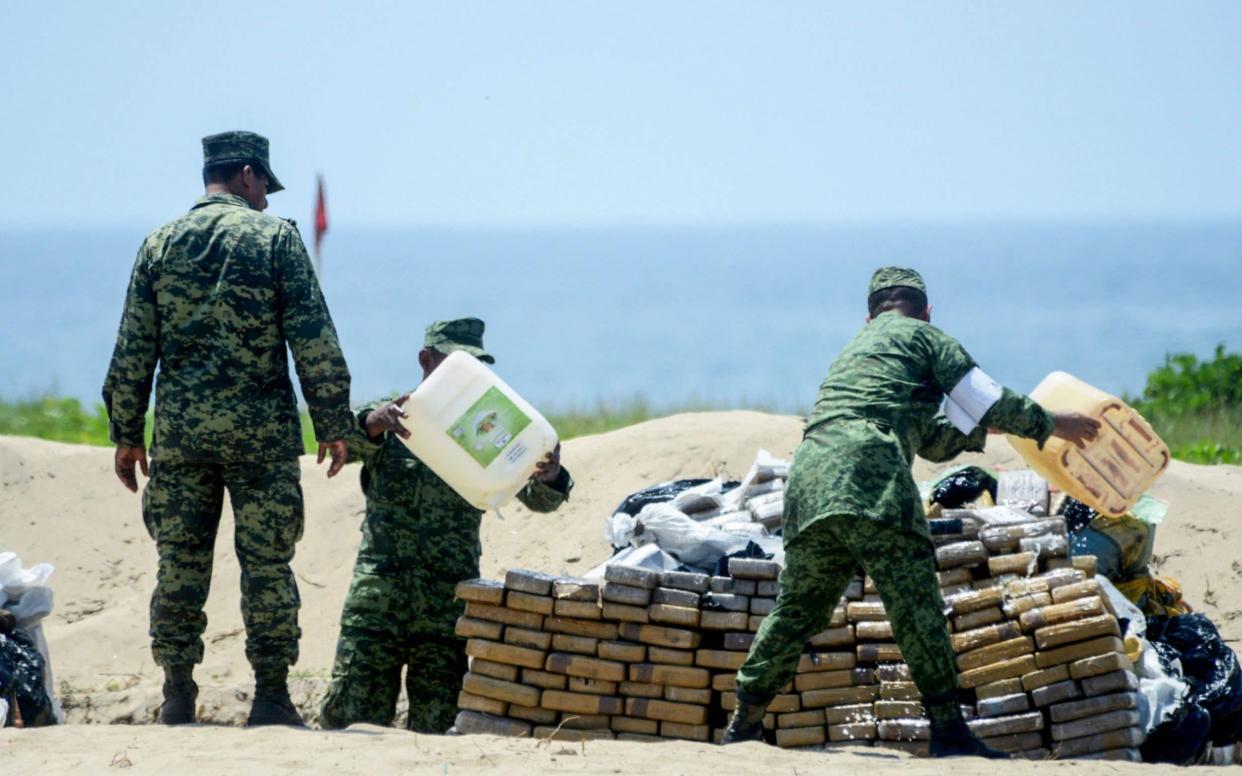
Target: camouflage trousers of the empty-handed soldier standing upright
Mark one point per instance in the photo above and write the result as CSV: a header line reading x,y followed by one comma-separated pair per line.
x,y
182,506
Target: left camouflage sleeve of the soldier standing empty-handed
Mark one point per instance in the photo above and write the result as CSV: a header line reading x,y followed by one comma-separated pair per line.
x,y
129,386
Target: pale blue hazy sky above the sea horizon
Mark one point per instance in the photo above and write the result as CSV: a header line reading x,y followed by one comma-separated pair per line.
x,y
550,114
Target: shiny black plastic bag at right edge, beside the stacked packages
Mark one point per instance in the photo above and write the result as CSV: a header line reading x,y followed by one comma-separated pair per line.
x,y
1209,667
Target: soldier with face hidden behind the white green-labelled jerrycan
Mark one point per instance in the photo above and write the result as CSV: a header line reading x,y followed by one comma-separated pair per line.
x,y
420,538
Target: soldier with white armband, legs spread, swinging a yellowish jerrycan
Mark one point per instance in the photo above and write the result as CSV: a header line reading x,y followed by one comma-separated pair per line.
x,y
853,503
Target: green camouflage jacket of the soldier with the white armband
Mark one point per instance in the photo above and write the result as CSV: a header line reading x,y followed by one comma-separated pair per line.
x,y
876,410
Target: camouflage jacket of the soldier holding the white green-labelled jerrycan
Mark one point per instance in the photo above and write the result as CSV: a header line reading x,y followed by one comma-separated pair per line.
x,y
414,520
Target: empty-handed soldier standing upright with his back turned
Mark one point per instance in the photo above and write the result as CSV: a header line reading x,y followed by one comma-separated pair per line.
x,y
214,299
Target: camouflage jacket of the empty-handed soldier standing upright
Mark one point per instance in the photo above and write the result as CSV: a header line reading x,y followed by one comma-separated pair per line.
x,y
213,300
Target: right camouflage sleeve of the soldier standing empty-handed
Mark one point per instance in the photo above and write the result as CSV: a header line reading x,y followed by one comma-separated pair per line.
x,y
309,330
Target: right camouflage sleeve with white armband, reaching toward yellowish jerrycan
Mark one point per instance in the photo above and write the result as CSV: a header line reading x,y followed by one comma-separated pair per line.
x,y
974,400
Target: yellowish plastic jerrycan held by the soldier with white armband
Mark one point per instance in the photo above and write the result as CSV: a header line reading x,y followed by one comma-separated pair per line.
x,y
1111,474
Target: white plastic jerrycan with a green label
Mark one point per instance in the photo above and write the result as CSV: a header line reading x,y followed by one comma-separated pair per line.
x,y
475,433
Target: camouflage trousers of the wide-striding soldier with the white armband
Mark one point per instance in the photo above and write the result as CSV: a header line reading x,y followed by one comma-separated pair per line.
x,y
819,566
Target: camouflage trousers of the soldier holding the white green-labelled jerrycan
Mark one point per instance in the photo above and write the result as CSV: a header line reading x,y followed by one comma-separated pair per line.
x,y
398,616
